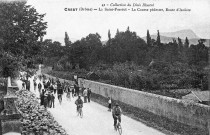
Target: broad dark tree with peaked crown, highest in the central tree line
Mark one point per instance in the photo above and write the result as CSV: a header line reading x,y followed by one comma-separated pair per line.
x,y
125,46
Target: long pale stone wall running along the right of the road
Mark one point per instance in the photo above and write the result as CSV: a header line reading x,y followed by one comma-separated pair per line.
x,y
189,113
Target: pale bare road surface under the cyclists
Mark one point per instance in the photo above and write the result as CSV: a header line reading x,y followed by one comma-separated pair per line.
x,y
96,120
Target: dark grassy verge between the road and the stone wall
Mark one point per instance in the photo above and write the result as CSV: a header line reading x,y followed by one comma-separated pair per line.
x,y
162,124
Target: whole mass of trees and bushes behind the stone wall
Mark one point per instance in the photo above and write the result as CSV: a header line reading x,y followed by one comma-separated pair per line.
x,y
127,60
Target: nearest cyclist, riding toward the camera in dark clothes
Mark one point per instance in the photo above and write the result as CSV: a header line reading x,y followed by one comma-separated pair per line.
x,y
116,113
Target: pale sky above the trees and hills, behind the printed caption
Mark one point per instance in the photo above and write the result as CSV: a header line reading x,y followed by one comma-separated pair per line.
x,y
79,24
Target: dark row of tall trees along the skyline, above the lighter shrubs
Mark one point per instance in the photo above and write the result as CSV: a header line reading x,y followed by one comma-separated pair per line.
x,y
125,46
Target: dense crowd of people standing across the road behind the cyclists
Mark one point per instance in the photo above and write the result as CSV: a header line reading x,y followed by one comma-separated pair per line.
x,y
48,89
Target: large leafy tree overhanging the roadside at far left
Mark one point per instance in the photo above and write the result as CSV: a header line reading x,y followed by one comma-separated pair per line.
x,y
21,28
